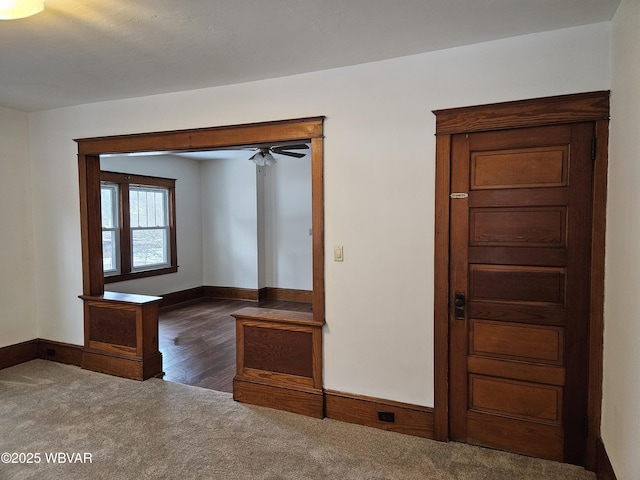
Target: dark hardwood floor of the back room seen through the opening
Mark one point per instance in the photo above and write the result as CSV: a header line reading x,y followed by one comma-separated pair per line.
x,y
198,340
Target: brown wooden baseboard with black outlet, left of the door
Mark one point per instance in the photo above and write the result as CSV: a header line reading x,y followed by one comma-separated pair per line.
x,y
408,419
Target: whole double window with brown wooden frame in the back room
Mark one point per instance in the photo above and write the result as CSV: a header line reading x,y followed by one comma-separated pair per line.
x,y
138,226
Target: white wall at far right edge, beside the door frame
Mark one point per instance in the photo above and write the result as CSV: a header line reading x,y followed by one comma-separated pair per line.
x,y
621,396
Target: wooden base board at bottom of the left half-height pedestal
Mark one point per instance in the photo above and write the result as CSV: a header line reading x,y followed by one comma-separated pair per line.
x,y
126,367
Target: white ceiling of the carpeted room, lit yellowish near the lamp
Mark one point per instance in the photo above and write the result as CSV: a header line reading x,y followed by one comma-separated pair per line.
x,y
83,51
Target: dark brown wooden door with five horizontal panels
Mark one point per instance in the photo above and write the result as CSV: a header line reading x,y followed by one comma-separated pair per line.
x,y
520,262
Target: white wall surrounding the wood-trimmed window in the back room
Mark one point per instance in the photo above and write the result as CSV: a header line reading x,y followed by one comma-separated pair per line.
x,y
186,172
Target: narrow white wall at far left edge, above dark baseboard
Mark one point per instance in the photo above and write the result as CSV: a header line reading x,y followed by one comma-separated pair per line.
x,y
17,283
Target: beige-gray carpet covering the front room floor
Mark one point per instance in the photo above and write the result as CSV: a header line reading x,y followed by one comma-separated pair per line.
x,y
162,430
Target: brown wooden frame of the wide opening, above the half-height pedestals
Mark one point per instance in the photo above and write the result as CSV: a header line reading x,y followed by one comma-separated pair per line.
x,y
254,134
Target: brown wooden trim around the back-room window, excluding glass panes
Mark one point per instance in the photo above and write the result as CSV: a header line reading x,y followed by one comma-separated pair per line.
x,y
124,181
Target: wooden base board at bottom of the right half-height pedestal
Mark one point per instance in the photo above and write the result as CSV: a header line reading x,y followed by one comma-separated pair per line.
x,y
305,401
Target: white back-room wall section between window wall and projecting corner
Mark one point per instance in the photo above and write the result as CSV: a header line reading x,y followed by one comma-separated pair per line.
x,y
230,223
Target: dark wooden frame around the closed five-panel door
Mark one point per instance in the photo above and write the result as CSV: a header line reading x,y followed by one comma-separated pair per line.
x,y
581,107
